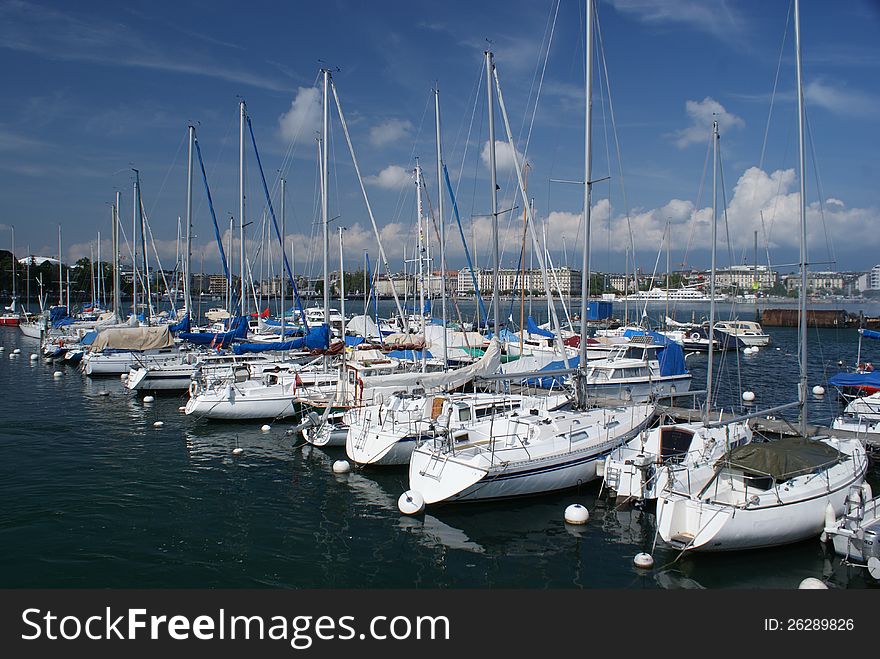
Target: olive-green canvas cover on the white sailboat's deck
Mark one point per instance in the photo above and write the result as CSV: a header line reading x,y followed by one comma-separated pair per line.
x,y
783,458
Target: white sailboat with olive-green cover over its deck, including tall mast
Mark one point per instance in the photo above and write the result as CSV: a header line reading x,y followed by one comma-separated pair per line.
x,y
764,494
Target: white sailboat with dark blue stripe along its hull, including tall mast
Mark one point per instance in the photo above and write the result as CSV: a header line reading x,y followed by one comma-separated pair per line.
x,y
528,451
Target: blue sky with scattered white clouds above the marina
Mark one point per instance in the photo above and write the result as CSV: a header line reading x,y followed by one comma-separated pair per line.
x,y
94,89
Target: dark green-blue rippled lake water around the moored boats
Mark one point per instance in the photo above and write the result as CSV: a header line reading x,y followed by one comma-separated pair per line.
x,y
95,496
